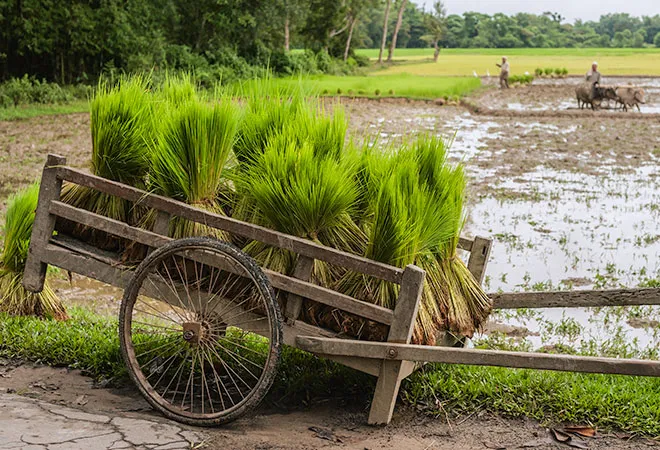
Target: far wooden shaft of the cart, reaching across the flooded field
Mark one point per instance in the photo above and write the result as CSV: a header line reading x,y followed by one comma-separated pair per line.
x,y
571,299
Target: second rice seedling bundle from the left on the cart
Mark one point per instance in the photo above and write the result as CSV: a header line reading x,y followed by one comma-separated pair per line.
x,y
189,161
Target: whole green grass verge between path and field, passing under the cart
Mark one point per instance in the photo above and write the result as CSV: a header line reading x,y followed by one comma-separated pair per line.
x,y
89,342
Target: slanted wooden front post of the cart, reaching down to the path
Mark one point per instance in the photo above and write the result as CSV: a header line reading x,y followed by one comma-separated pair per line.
x,y
392,372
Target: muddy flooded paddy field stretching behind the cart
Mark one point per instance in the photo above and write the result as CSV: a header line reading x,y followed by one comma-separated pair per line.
x,y
570,202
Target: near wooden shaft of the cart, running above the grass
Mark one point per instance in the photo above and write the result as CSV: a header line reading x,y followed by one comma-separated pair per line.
x,y
522,360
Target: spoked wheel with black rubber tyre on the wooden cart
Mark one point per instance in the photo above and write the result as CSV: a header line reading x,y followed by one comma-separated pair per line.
x,y
200,331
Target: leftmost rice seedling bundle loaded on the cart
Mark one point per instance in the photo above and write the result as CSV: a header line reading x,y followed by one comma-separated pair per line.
x,y
122,131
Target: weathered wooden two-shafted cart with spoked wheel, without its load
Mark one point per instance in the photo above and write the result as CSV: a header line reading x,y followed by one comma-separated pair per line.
x,y
201,329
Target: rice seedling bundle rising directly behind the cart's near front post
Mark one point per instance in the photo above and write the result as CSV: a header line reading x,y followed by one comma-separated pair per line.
x,y
405,227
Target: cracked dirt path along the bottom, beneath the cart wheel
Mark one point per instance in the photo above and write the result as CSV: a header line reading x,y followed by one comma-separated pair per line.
x,y
55,408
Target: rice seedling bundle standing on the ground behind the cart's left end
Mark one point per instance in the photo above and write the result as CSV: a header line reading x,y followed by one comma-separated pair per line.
x,y
14,298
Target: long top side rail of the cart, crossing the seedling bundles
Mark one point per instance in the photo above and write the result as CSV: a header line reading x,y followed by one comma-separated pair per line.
x,y
248,230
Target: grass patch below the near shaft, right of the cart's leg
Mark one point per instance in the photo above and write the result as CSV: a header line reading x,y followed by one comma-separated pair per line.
x,y
618,402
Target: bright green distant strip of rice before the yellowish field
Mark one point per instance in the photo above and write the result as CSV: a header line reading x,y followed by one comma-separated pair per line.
x,y
400,85
